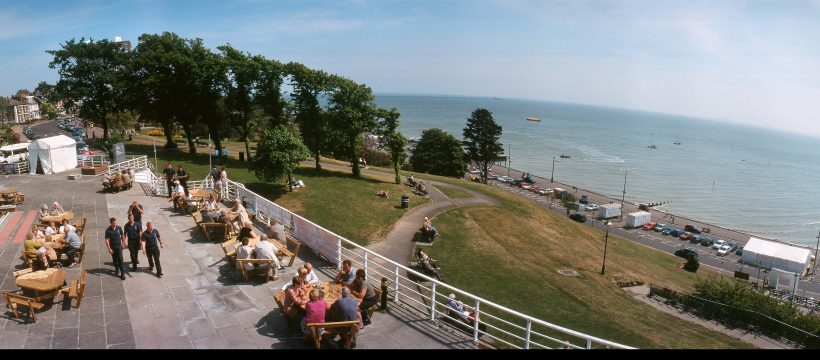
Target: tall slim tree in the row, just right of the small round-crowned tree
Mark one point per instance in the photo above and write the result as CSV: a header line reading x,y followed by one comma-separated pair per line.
x,y
313,121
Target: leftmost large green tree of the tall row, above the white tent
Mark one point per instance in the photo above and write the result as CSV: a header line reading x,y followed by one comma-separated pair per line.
x,y
92,75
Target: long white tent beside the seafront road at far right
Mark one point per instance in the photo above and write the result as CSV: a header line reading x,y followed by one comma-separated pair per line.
x,y
773,255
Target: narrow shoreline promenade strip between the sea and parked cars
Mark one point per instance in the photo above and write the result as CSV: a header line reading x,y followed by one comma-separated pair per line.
x,y
718,232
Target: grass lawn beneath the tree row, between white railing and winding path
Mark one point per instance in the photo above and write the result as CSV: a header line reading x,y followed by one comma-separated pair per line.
x,y
332,199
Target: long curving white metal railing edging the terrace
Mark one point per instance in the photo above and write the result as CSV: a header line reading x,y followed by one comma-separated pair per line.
x,y
508,326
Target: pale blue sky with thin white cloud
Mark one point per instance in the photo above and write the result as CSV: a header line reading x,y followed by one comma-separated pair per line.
x,y
752,62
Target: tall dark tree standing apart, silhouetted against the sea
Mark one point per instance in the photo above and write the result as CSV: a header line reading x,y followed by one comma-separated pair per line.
x,y
481,140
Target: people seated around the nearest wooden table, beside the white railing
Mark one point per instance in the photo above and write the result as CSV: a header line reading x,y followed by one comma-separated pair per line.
x,y
305,299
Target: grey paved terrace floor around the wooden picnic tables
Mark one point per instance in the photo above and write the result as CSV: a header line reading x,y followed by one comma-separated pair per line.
x,y
201,302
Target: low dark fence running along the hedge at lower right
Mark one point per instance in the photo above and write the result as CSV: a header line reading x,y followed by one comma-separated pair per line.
x,y
736,317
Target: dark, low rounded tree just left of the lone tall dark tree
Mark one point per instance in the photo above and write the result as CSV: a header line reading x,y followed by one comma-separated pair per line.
x,y
439,153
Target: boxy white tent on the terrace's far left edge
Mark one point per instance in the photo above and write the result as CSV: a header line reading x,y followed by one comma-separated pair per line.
x,y
55,154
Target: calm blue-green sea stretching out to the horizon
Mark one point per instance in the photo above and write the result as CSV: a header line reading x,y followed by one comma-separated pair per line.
x,y
756,180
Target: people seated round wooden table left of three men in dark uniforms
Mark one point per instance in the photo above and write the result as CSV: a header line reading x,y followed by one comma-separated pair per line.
x,y
42,245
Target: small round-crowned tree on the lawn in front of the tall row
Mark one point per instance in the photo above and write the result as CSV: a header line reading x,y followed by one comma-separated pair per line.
x,y
278,153
